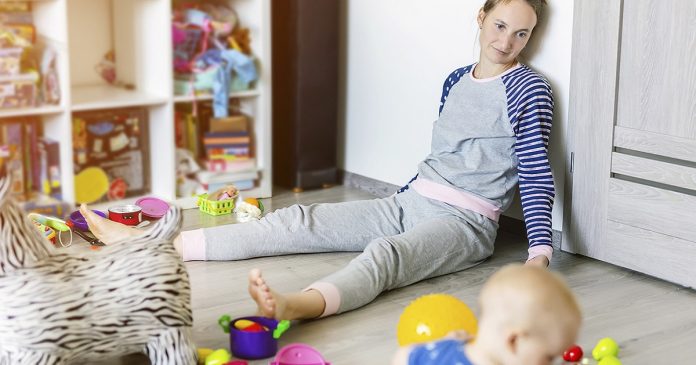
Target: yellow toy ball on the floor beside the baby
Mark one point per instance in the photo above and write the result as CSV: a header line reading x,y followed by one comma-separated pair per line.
x,y
432,317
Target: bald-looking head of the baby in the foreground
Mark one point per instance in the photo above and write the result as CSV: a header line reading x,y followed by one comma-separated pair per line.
x,y
528,316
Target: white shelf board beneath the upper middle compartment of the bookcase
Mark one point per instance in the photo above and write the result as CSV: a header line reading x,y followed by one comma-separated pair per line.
x,y
108,97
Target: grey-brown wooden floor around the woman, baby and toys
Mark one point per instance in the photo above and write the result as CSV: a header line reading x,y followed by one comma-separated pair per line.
x,y
654,322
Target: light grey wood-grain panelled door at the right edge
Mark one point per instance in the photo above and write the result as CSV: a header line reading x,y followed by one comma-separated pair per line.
x,y
633,136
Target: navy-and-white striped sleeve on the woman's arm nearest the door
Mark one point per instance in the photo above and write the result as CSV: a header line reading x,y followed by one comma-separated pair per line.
x,y
532,124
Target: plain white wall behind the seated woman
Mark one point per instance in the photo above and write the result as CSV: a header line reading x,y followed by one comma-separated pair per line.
x,y
396,55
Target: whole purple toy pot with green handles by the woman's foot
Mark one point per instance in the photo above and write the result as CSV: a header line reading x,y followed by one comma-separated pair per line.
x,y
247,342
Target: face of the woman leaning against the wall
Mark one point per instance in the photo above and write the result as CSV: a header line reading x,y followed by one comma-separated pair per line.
x,y
505,31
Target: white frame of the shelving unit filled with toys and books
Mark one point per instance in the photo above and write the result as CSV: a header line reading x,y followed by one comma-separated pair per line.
x,y
139,31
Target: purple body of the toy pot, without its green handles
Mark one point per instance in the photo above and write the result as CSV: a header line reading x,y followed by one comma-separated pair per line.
x,y
253,345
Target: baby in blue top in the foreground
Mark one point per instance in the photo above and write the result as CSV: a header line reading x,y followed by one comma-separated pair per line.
x,y
528,316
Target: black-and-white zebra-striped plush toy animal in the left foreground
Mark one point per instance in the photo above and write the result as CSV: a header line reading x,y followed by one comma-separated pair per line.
x,y
57,307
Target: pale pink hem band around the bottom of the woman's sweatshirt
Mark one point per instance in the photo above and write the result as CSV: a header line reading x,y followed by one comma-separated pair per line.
x,y
458,198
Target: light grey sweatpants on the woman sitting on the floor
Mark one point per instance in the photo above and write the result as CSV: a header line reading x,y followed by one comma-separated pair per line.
x,y
404,238
